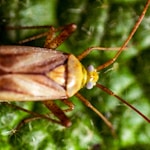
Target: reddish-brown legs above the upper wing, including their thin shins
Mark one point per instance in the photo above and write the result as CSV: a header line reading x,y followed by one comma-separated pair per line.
x,y
51,41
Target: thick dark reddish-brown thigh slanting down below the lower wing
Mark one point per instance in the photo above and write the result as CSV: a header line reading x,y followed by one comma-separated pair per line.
x,y
58,113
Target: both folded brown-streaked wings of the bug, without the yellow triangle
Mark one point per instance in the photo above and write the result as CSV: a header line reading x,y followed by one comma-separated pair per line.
x,y
23,73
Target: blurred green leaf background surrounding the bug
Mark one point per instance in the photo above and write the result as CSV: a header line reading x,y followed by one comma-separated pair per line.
x,y
105,23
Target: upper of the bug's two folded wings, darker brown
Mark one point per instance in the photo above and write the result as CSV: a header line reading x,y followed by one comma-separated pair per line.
x,y
24,59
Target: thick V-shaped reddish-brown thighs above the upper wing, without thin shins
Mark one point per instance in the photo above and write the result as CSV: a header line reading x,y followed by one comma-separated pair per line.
x,y
53,42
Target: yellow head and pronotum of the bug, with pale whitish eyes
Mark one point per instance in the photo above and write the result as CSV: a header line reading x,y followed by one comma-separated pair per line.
x,y
78,76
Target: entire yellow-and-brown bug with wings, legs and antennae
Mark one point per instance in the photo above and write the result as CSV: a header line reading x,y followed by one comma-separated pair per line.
x,y
44,74
